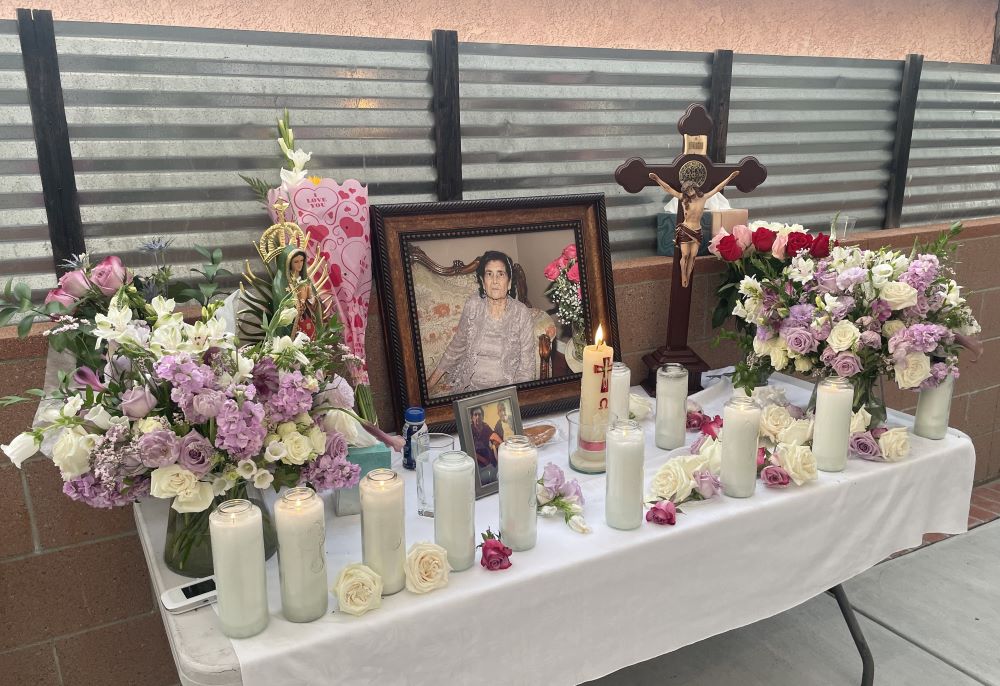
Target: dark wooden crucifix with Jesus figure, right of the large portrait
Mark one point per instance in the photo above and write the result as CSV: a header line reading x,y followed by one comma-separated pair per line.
x,y
692,169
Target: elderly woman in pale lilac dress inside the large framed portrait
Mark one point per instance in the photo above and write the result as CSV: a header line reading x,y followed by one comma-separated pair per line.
x,y
494,344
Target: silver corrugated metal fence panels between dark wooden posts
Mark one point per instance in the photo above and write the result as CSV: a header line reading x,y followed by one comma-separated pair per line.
x,y
162,119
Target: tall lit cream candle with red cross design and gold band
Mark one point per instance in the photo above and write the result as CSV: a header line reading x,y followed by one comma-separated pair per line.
x,y
595,388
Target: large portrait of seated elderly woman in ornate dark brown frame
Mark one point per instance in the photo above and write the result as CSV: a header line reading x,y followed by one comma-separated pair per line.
x,y
469,305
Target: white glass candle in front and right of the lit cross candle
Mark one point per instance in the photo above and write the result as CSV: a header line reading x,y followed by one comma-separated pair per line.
x,y
624,484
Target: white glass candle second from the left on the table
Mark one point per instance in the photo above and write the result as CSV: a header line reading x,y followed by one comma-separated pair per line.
x,y
301,525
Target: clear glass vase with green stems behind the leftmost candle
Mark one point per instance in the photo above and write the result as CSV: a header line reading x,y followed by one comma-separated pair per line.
x,y
188,548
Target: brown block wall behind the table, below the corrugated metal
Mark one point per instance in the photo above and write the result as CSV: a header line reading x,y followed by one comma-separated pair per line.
x,y
78,608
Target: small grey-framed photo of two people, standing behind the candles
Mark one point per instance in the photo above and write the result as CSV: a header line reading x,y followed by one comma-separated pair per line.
x,y
484,422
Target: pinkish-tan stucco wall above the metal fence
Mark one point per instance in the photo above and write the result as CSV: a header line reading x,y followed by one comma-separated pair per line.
x,y
949,30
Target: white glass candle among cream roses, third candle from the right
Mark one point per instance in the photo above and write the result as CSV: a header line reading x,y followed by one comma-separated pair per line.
x,y
740,432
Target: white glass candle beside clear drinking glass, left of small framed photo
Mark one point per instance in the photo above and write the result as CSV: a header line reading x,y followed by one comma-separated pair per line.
x,y
455,507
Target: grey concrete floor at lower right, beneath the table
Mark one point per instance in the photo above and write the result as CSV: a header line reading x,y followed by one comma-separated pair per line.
x,y
932,618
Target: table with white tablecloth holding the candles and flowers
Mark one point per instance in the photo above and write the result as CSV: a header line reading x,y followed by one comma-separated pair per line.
x,y
580,606
